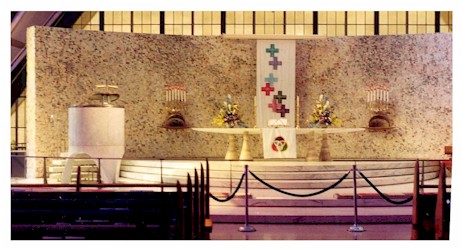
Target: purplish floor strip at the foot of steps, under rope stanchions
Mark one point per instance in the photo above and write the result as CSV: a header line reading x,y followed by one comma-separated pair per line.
x,y
226,231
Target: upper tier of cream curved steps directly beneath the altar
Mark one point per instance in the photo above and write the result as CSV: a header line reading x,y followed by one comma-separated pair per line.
x,y
280,174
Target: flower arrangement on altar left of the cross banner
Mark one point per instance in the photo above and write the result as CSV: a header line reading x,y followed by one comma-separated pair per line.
x,y
228,114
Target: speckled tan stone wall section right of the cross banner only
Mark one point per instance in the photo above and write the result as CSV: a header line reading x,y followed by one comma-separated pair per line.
x,y
416,68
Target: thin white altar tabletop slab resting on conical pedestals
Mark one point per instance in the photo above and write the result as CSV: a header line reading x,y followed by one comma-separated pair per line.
x,y
259,130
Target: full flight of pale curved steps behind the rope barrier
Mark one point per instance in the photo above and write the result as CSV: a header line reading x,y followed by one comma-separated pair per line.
x,y
393,178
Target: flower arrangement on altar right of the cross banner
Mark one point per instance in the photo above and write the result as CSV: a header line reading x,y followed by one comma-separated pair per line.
x,y
323,115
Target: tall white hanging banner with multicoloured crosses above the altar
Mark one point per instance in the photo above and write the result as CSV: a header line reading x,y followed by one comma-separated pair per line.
x,y
275,81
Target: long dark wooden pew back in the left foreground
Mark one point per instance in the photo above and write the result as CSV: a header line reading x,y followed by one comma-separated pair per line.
x,y
94,215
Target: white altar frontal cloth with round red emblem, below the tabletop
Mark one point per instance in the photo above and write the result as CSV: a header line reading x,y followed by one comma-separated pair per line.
x,y
279,143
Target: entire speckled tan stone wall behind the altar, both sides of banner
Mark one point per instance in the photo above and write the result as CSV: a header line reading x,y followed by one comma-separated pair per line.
x,y
69,63
